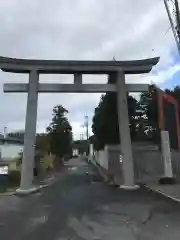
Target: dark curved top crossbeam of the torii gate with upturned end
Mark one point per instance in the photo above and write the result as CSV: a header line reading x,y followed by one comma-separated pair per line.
x,y
70,66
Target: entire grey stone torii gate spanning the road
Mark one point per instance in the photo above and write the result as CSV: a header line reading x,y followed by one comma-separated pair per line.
x,y
116,71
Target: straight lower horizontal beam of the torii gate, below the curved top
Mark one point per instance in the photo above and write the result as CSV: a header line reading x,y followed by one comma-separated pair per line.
x,y
72,88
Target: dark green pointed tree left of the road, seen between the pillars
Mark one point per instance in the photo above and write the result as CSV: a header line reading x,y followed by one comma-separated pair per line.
x,y
60,133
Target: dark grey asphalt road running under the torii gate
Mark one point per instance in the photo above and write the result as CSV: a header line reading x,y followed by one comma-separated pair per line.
x,y
80,206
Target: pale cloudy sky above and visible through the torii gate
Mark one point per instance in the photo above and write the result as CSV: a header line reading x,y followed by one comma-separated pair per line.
x,y
82,30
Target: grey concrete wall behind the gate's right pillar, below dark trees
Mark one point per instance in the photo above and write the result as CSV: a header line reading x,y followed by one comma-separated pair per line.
x,y
148,163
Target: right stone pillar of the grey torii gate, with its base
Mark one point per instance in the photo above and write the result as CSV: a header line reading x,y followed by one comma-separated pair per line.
x,y
124,132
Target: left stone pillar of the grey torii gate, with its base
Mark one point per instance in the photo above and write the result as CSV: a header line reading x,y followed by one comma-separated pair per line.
x,y
27,174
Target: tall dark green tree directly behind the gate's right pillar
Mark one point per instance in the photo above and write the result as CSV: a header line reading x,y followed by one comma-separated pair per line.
x,y
105,121
